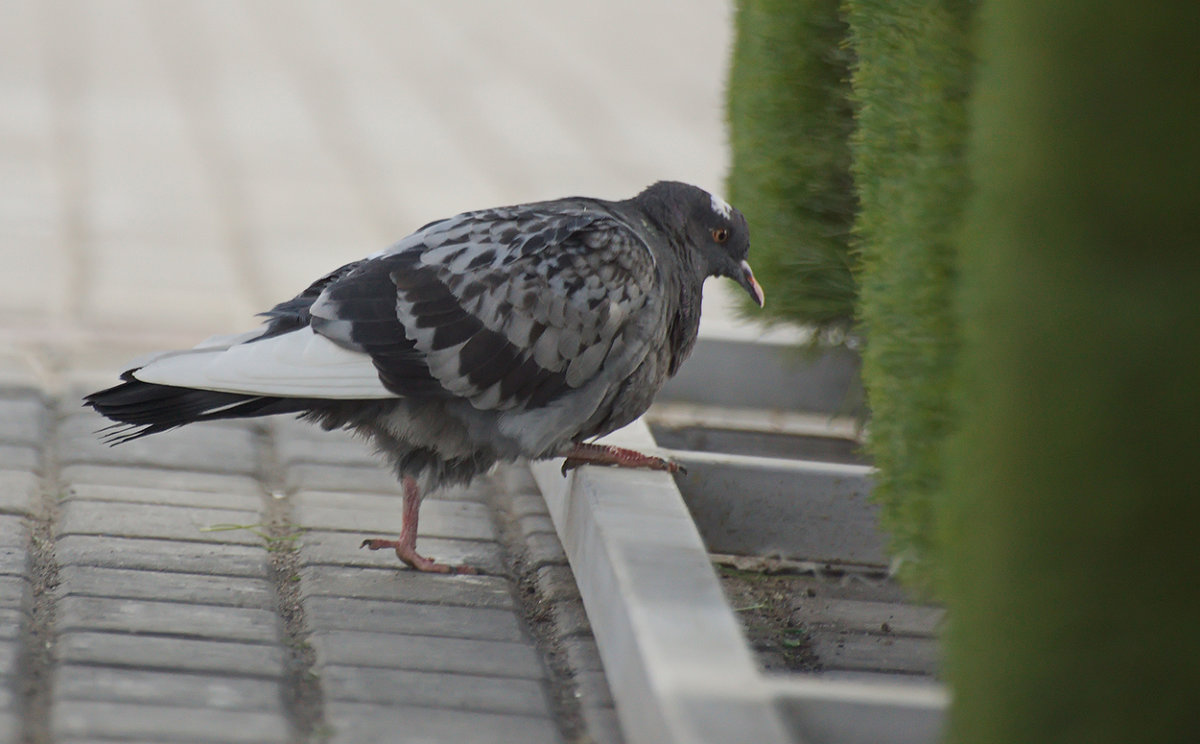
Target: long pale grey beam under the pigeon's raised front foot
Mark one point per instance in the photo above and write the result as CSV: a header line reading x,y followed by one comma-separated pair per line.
x,y
675,658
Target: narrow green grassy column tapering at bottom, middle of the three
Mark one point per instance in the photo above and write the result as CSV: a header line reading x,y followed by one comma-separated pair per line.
x,y
910,88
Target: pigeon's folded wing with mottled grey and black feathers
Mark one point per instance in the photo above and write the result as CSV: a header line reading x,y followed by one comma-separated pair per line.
x,y
508,308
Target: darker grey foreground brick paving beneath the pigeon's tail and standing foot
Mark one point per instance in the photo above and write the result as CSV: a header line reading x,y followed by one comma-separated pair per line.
x,y
208,587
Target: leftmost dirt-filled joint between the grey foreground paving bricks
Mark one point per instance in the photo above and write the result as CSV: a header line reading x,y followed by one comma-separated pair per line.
x,y
35,664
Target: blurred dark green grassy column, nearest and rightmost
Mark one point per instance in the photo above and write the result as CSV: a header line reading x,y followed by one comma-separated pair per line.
x,y
1075,554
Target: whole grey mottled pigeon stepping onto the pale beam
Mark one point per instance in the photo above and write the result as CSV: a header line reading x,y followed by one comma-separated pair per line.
x,y
512,333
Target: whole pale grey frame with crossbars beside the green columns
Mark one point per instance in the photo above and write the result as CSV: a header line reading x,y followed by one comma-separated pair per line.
x,y
674,652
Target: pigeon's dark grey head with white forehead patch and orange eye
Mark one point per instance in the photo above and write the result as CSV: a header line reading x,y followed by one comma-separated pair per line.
x,y
709,226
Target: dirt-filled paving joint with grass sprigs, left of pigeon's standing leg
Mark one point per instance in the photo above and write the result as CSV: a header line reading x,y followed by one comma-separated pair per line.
x,y
304,697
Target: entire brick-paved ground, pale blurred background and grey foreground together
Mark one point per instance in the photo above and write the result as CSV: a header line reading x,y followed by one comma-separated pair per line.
x,y
170,170
